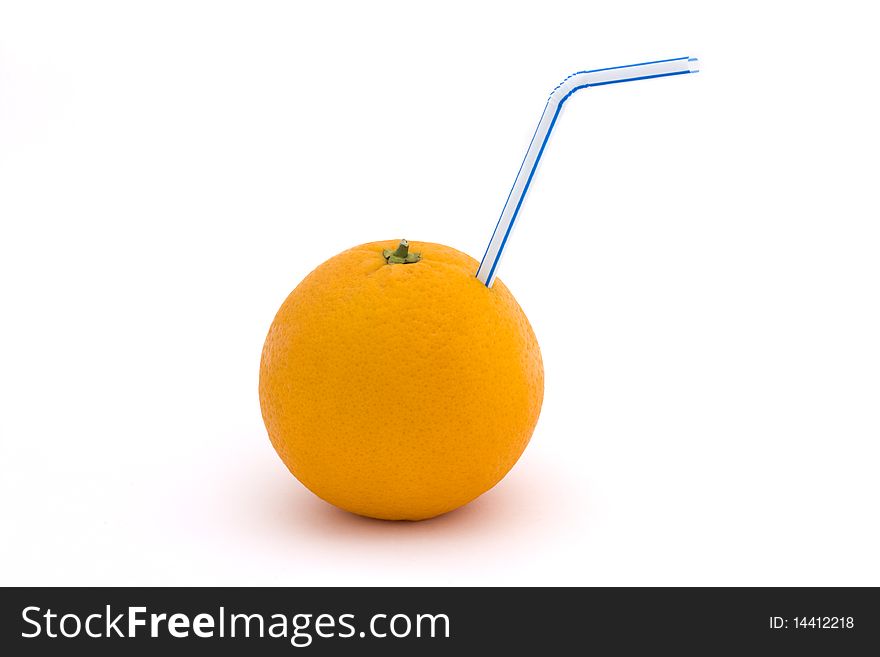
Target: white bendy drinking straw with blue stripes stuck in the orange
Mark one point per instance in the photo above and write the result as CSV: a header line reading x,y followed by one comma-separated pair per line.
x,y
574,82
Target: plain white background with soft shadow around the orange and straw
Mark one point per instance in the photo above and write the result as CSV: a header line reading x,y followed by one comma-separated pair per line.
x,y
699,257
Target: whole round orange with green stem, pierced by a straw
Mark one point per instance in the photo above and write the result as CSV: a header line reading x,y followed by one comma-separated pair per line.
x,y
395,385
